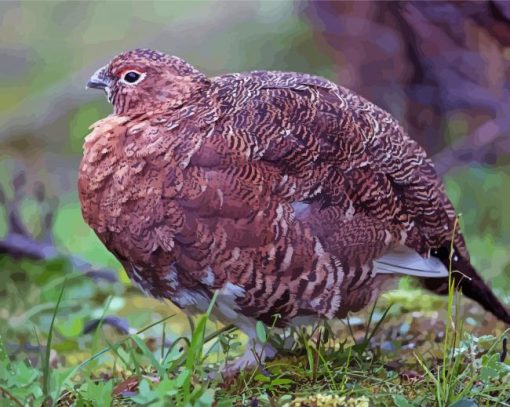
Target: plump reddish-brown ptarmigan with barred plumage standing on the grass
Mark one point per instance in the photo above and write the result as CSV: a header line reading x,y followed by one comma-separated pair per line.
x,y
284,192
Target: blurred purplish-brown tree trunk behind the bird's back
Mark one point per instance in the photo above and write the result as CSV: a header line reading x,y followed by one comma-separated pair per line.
x,y
437,66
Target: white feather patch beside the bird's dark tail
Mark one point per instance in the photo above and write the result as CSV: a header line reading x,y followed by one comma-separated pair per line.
x,y
403,260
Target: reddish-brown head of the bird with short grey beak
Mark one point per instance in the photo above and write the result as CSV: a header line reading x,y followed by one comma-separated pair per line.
x,y
144,80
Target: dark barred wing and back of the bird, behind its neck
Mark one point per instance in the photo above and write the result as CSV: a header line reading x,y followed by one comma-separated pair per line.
x,y
363,185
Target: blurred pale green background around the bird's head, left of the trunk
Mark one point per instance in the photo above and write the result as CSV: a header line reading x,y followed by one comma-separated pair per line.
x,y
49,50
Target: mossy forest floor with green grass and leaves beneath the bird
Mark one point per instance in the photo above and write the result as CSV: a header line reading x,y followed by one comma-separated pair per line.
x,y
67,339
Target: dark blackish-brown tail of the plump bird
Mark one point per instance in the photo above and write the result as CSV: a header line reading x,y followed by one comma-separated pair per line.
x,y
468,281
